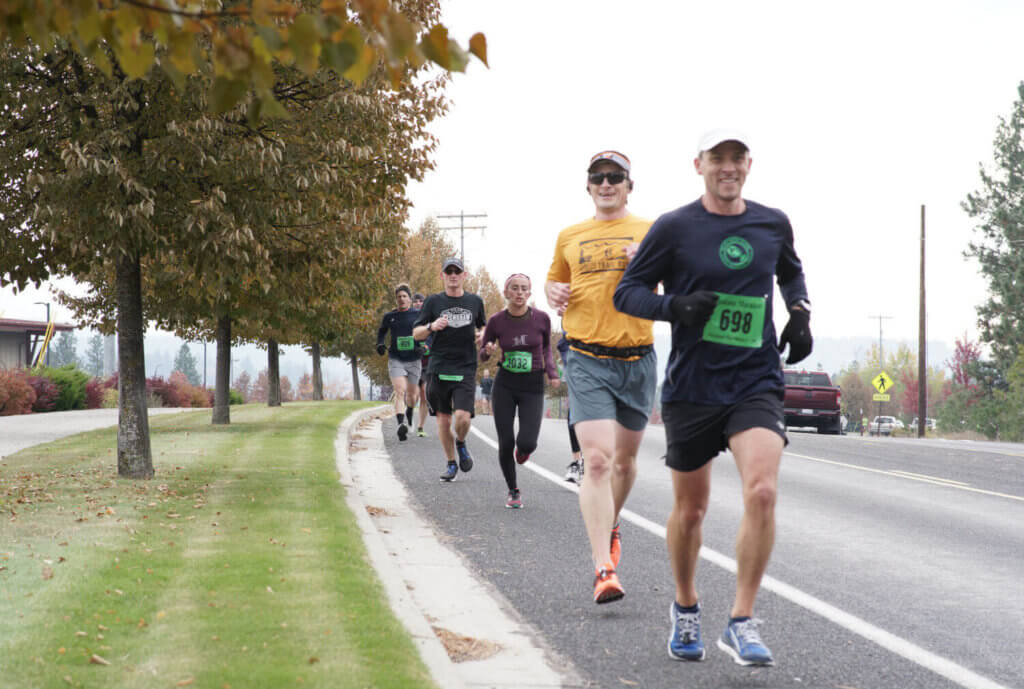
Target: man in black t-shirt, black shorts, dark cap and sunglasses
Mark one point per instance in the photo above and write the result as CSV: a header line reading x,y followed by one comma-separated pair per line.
x,y
454,317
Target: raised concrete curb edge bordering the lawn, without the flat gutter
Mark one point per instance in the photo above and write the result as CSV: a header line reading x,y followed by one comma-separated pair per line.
x,y
406,610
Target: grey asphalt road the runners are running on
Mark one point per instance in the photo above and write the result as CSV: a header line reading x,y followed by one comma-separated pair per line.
x,y
899,563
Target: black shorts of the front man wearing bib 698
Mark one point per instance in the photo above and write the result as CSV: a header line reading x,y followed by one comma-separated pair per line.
x,y
696,434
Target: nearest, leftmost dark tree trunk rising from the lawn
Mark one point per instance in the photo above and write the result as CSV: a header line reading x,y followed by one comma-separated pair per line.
x,y
135,453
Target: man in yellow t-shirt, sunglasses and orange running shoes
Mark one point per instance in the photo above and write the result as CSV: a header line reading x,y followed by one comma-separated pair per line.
x,y
612,364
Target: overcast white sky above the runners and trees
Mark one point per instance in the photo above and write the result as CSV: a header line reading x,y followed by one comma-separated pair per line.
x,y
858,114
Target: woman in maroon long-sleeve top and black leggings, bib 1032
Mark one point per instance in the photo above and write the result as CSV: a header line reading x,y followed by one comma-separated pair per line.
x,y
525,337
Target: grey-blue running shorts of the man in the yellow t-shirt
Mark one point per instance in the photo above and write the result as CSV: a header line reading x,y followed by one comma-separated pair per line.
x,y
608,389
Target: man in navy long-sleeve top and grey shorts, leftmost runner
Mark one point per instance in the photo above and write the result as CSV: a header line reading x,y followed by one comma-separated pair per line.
x,y
404,357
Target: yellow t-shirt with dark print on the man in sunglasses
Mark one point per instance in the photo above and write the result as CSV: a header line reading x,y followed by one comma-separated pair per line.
x,y
591,257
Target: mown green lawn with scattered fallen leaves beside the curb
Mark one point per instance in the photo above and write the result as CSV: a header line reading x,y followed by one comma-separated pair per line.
x,y
239,566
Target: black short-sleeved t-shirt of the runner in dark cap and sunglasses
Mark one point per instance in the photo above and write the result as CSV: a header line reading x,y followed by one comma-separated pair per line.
x,y
454,349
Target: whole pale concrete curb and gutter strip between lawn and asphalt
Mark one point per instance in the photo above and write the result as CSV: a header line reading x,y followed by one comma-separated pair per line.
x,y
470,637
